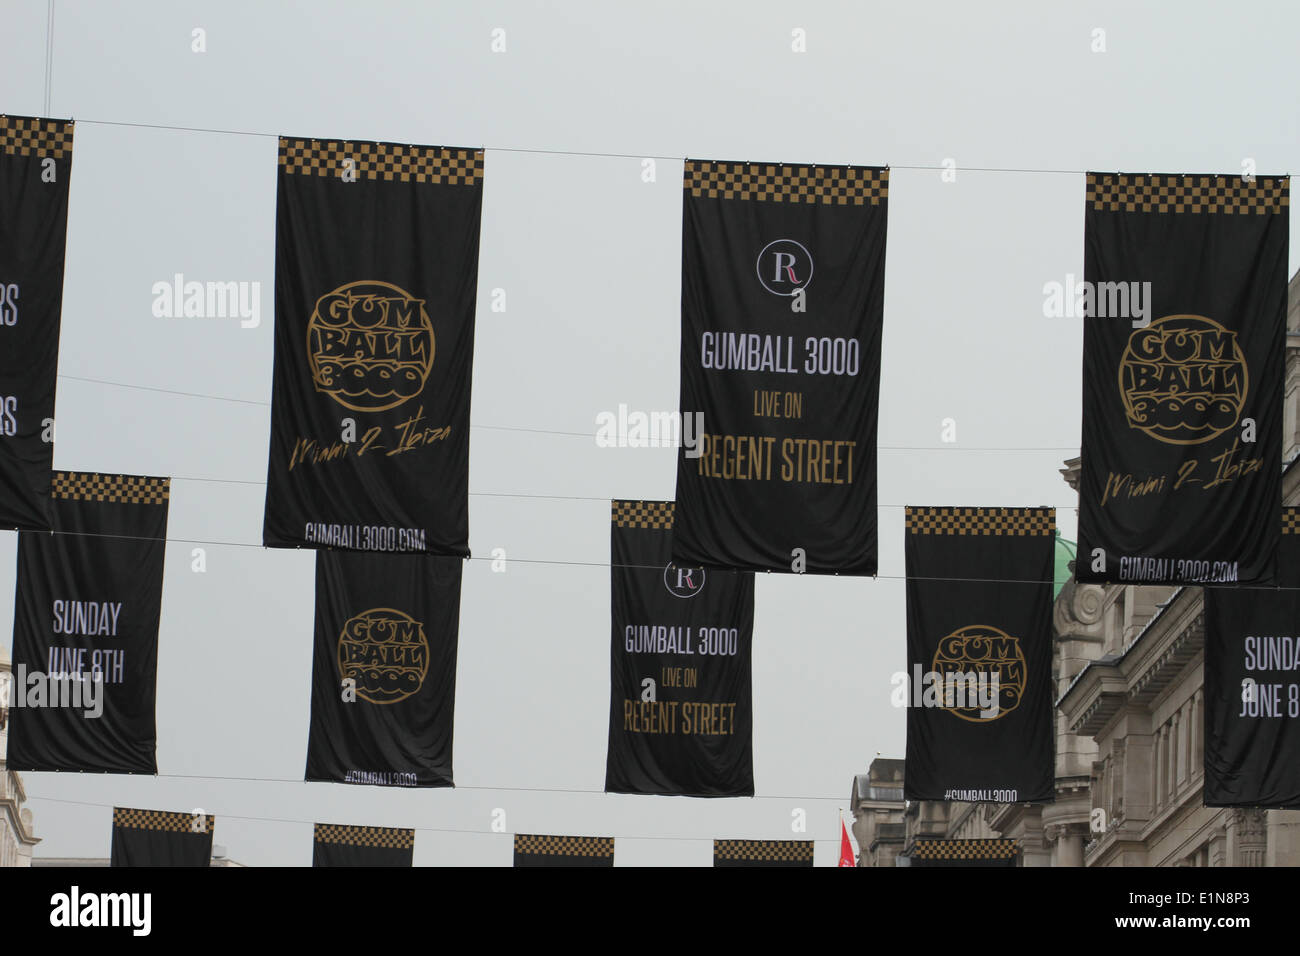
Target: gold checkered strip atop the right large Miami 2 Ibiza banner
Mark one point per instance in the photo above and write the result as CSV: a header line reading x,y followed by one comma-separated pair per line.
x,y
1227,194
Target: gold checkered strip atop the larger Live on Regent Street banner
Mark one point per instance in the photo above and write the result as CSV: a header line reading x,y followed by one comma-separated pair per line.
x,y
826,185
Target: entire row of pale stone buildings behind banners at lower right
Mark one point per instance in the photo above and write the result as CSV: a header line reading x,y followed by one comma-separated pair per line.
x,y
1129,672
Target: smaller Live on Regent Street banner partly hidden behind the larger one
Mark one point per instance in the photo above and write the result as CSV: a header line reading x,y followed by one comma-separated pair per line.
x,y
681,699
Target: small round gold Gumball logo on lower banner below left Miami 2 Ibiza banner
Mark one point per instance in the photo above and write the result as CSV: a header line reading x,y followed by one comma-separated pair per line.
x,y
387,654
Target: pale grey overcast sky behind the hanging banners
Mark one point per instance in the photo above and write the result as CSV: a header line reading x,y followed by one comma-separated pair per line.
x,y
590,257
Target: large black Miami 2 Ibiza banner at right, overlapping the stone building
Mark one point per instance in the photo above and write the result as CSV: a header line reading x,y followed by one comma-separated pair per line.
x,y
1185,339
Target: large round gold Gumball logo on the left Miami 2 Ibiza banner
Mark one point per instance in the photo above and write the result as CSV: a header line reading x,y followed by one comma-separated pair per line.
x,y
370,345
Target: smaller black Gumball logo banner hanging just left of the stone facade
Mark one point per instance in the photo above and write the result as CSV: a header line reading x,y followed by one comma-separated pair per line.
x,y
978,687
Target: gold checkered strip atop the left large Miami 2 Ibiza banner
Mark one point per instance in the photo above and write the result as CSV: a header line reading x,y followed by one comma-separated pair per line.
x,y
384,162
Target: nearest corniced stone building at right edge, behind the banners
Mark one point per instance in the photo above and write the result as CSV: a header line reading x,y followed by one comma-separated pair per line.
x,y
1139,702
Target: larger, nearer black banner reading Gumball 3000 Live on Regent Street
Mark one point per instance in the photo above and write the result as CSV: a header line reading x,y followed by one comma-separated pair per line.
x,y
782,310
